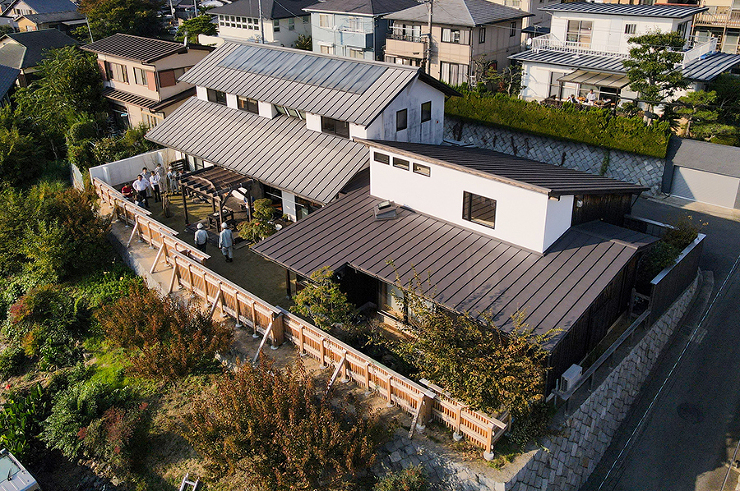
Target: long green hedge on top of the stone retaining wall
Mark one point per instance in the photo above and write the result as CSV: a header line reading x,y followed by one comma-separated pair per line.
x,y
593,126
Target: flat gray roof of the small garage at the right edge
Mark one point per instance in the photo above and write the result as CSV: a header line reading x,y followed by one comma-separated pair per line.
x,y
704,156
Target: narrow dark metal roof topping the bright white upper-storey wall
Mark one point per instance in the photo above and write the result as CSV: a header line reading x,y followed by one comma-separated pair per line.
x,y
538,176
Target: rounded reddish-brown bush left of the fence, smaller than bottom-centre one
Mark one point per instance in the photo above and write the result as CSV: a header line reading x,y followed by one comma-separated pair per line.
x,y
161,338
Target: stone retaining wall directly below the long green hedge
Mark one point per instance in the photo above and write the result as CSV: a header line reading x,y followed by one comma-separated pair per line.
x,y
624,166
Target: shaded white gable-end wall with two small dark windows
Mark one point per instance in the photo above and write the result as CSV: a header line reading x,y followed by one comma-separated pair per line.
x,y
411,98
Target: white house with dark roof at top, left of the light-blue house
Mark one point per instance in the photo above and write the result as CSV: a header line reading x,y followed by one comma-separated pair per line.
x,y
281,22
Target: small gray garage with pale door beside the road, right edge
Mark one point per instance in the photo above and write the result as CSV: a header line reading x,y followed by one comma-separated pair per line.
x,y
703,171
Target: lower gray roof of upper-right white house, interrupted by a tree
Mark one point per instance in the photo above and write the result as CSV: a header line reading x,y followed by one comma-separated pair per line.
x,y
702,69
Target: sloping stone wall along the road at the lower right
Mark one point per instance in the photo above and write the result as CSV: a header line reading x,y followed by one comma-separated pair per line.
x,y
566,461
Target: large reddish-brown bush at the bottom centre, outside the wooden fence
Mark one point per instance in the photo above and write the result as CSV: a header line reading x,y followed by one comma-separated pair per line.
x,y
268,427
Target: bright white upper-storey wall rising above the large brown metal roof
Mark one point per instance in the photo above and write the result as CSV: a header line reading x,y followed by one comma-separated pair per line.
x,y
521,214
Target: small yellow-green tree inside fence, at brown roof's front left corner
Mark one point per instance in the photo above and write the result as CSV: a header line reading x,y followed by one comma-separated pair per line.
x,y
322,301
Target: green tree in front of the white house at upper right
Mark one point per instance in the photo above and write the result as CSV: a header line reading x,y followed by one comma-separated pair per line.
x,y
652,66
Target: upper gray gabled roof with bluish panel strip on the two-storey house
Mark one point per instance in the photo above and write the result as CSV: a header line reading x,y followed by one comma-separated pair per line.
x,y
306,81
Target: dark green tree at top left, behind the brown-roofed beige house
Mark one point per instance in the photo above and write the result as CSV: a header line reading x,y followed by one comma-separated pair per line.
x,y
108,17
